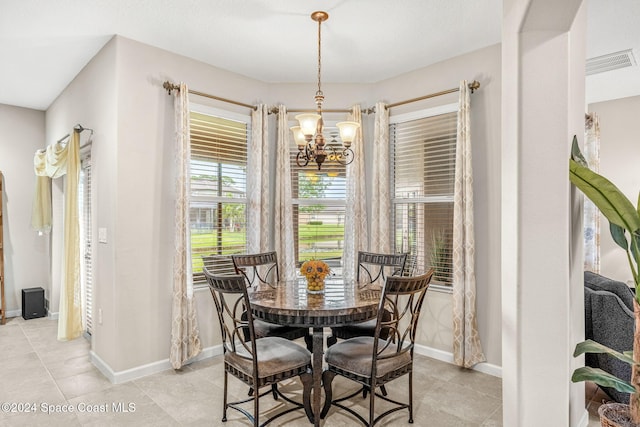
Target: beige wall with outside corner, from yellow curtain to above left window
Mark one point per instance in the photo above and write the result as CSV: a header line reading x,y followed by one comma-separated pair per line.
x,y
120,95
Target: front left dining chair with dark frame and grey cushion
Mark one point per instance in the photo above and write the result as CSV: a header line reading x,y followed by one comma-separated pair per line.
x,y
258,362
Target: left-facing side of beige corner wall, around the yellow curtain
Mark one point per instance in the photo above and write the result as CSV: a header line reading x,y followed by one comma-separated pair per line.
x,y
90,100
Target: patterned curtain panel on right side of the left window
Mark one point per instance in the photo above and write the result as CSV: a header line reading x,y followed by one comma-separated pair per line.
x,y
258,183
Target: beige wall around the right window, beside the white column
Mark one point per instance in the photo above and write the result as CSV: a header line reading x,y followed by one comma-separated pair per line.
x,y
483,65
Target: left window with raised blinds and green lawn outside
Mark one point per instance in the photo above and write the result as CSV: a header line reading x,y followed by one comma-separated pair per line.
x,y
218,187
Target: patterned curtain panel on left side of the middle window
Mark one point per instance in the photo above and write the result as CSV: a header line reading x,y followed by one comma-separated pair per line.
x,y
283,209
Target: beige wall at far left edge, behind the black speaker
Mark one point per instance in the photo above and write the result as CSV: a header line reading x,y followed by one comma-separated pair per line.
x,y
26,255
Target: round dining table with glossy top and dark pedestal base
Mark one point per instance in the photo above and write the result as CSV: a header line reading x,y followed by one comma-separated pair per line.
x,y
289,303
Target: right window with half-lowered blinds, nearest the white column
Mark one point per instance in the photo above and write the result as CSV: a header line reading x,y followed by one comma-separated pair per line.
x,y
423,149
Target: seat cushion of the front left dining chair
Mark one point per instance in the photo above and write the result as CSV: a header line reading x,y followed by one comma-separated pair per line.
x,y
275,355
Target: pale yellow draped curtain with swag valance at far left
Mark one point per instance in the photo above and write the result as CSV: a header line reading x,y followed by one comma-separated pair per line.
x,y
58,160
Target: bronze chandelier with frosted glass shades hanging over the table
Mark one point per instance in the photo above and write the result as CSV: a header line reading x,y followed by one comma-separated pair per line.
x,y
308,135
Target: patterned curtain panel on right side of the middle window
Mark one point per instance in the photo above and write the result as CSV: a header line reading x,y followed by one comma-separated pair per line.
x,y
355,222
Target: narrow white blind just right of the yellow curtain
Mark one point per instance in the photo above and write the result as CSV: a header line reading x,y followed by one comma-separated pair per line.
x,y
86,239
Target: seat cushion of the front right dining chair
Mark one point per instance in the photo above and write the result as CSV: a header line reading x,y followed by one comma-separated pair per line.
x,y
354,355
